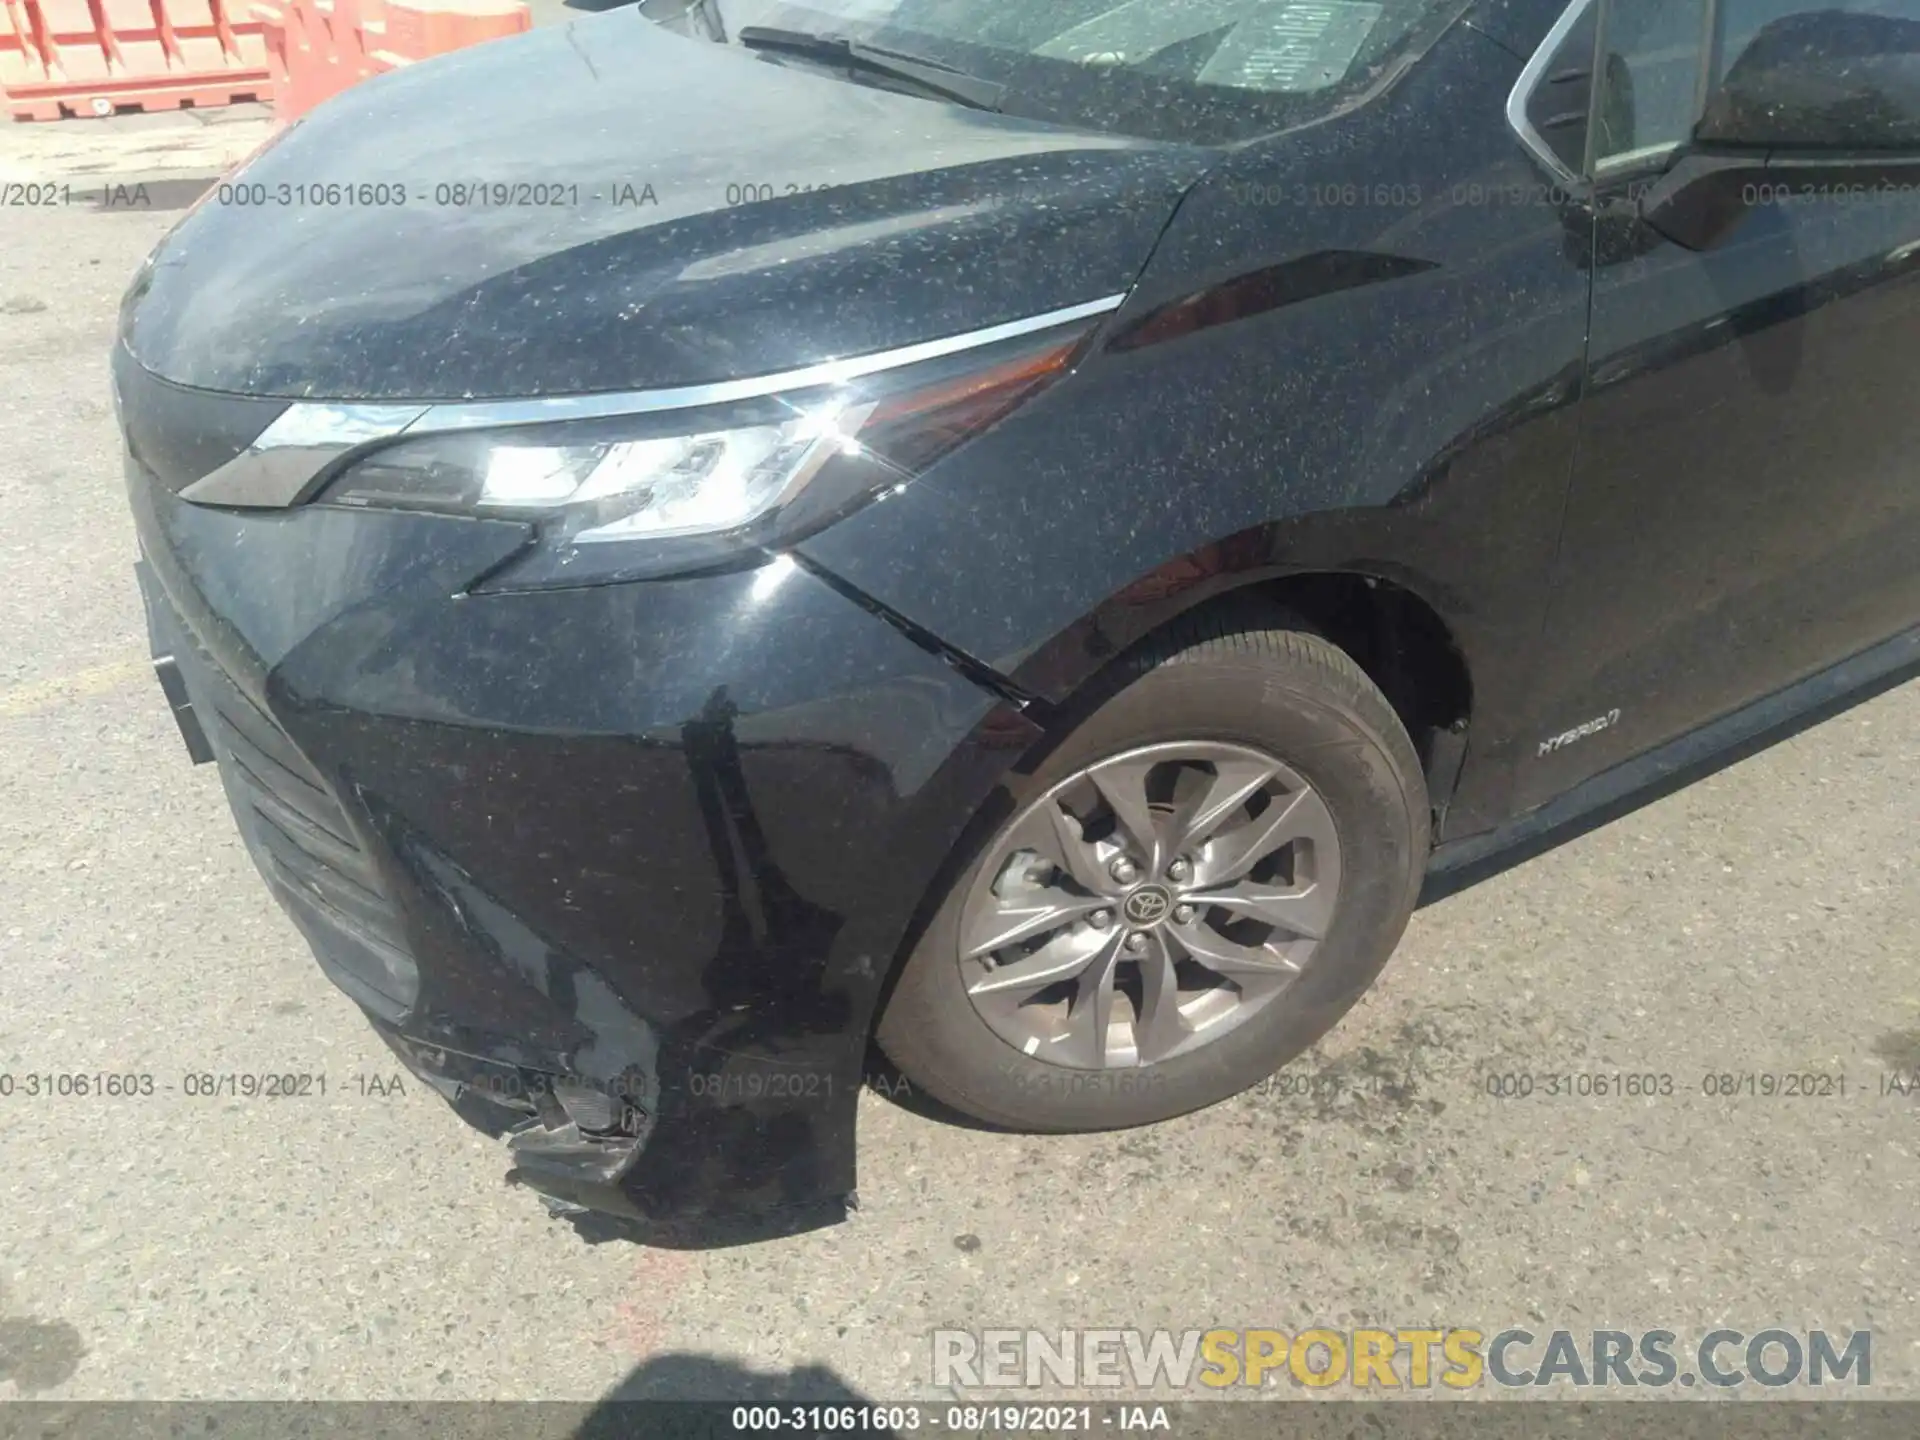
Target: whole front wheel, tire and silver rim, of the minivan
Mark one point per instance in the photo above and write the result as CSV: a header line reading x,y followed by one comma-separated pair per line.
x,y
1195,886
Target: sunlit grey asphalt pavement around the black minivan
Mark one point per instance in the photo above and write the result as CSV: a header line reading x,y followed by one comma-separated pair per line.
x,y
364,1245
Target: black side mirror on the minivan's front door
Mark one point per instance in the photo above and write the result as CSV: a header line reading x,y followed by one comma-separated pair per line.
x,y
1815,105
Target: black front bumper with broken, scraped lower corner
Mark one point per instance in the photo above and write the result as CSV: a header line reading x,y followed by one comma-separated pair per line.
x,y
631,919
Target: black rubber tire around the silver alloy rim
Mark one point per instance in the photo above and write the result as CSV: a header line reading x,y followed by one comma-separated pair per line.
x,y
1224,683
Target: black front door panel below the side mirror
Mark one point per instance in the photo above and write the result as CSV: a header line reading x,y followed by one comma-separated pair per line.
x,y
1748,500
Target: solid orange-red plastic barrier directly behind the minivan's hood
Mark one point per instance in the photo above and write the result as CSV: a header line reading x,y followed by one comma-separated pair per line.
x,y
318,49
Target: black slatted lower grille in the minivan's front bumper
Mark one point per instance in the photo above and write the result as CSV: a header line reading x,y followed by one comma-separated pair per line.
x,y
300,836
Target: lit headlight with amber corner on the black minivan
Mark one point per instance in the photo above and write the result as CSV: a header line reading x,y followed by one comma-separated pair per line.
x,y
696,489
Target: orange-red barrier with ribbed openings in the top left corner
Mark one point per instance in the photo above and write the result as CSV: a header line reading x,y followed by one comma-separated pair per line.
x,y
101,57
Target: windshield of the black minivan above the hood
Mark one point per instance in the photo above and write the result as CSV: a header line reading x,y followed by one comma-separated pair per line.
x,y
1207,72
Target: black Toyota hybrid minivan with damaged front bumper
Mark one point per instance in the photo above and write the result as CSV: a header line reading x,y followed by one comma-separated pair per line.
x,y
1032,535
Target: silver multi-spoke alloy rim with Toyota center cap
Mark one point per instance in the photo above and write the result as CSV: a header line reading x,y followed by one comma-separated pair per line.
x,y
1149,903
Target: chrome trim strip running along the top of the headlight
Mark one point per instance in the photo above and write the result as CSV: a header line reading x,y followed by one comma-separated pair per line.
x,y
279,468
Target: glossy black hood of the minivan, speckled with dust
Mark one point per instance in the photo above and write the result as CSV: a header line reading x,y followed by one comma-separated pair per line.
x,y
610,206
